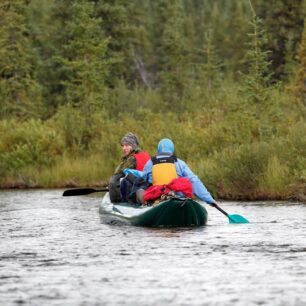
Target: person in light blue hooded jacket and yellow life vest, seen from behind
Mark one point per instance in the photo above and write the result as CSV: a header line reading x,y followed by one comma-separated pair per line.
x,y
164,167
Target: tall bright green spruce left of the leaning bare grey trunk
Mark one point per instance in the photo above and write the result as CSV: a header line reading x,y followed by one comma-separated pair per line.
x,y
83,62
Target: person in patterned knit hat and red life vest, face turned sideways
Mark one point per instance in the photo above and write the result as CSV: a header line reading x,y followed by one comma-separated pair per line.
x,y
133,158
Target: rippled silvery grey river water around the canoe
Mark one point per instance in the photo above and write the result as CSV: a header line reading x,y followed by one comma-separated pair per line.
x,y
57,250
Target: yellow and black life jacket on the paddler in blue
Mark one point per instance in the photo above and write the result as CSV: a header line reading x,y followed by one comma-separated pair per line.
x,y
163,169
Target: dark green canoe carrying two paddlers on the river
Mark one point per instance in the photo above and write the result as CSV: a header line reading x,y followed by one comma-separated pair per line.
x,y
168,213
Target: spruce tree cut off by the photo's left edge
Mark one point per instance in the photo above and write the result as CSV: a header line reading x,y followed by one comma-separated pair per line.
x,y
20,94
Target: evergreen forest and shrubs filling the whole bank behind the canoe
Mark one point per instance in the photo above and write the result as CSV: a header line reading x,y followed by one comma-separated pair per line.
x,y
224,79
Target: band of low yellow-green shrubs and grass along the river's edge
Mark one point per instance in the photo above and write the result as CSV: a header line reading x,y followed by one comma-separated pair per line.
x,y
238,154
